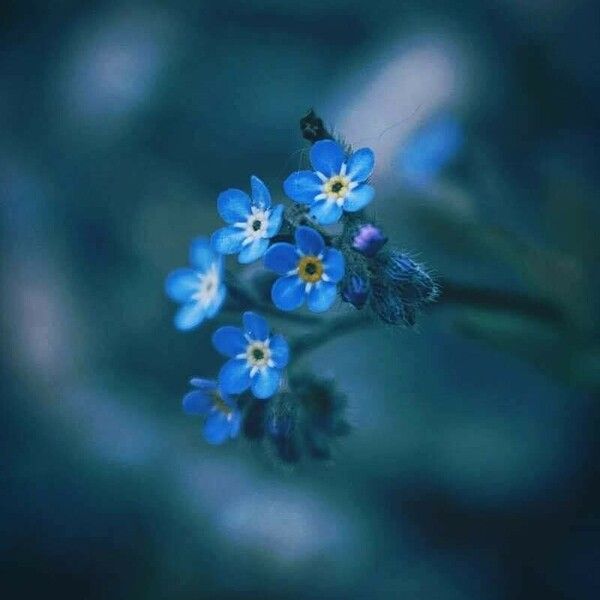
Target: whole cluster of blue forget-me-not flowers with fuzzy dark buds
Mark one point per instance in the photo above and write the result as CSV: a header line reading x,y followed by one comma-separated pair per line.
x,y
255,392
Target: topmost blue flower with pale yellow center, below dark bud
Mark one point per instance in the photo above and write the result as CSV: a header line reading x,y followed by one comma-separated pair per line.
x,y
337,183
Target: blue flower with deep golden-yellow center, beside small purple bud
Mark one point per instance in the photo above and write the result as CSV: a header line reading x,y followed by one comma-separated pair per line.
x,y
309,270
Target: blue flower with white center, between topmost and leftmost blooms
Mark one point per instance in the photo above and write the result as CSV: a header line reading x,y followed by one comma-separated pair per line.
x,y
252,222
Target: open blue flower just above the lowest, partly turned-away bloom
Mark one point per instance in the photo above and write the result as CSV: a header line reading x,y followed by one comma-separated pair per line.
x,y
256,358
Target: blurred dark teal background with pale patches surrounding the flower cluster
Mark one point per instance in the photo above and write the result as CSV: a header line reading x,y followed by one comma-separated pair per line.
x,y
470,473
